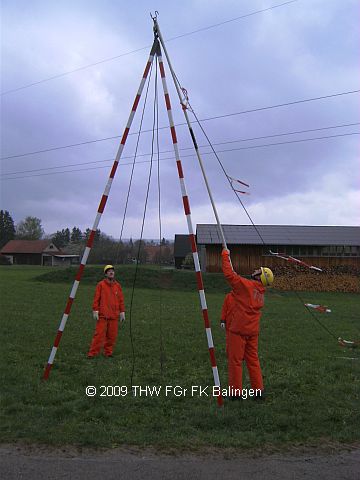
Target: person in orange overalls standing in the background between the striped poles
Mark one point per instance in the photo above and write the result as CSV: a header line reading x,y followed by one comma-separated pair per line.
x,y
108,310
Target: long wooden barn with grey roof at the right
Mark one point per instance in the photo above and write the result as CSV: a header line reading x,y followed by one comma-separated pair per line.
x,y
324,246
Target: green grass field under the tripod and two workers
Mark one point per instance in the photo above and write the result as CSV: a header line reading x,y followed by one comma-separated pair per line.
x,y
313,390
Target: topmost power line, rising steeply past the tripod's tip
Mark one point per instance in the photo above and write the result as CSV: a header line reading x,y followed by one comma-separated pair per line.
x,y
48,79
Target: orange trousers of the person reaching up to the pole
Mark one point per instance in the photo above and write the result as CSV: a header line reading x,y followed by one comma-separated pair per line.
x,y
240,348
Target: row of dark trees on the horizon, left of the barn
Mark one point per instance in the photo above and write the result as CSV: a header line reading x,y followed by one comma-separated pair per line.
x,y
105,248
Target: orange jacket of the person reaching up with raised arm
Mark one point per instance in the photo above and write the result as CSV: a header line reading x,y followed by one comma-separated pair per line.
x,y
243,306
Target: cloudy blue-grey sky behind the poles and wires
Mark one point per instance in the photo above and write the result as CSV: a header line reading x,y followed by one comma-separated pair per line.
x,y
305,49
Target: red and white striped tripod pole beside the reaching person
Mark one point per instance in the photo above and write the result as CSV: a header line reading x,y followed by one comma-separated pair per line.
x,y
187,211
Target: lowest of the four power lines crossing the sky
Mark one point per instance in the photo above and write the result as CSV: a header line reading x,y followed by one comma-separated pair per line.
x,y
191,155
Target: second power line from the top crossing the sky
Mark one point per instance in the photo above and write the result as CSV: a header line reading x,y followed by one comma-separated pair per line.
x,y
294,102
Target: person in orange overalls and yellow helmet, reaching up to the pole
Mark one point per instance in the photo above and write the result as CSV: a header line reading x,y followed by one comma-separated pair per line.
x,y
240,317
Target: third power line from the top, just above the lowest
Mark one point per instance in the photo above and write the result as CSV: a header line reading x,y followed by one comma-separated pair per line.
x,y
296,132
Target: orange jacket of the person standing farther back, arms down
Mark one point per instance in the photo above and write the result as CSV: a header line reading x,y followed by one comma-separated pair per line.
x,y
108,299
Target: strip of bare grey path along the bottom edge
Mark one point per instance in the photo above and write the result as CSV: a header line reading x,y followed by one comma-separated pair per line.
x,y
36,463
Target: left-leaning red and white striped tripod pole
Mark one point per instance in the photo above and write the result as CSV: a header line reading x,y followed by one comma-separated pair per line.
x,y
100,211
